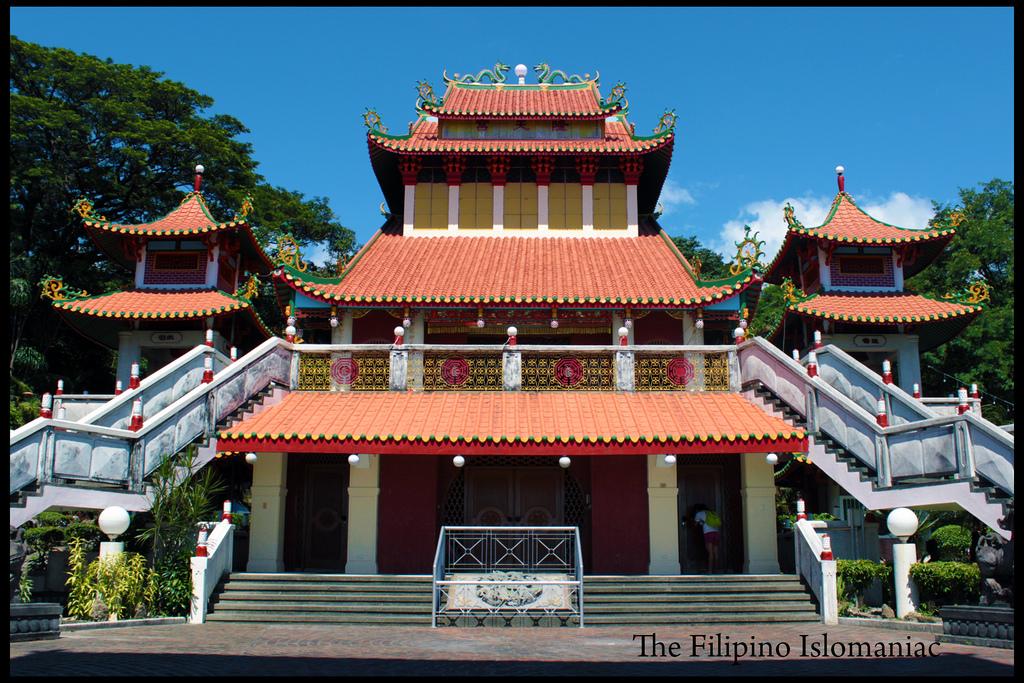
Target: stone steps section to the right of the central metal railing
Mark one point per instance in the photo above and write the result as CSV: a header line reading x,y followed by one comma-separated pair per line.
x,y
697,600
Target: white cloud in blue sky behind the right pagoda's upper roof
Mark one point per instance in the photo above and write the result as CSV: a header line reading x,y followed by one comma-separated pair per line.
x,y
765,217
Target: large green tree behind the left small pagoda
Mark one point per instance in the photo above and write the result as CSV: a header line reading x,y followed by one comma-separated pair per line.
x,y
127,139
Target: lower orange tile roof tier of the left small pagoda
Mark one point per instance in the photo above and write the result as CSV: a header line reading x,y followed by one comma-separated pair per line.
x,y
154,304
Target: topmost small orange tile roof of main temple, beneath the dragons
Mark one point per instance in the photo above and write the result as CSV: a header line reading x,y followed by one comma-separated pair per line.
x,y
577,101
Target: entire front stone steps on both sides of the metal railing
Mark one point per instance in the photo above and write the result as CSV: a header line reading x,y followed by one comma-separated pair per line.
x,y
370,600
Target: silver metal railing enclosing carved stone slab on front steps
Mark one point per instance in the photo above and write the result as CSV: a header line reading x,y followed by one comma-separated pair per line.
x,y
507,574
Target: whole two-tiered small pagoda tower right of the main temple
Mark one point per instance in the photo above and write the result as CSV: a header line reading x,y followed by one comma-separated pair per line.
x,y
844,285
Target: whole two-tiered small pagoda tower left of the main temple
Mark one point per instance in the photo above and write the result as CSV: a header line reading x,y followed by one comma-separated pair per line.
x,y
191,286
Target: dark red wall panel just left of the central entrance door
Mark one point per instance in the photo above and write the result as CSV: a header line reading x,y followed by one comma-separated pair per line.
x,y
407,524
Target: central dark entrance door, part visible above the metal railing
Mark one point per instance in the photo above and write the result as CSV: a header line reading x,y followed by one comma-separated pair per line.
x,y
515,496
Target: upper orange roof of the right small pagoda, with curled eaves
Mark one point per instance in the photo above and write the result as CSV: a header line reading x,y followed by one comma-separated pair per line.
x,y
847,224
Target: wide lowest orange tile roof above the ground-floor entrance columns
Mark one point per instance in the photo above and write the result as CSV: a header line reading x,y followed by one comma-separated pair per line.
x,y
629,421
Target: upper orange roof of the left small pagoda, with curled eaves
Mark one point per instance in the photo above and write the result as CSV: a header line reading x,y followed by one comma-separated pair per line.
x,y
192,219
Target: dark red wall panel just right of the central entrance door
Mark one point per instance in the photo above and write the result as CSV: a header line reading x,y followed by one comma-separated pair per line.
x,y
619,516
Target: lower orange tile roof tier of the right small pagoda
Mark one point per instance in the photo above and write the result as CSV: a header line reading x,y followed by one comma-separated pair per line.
x,y
881,308
